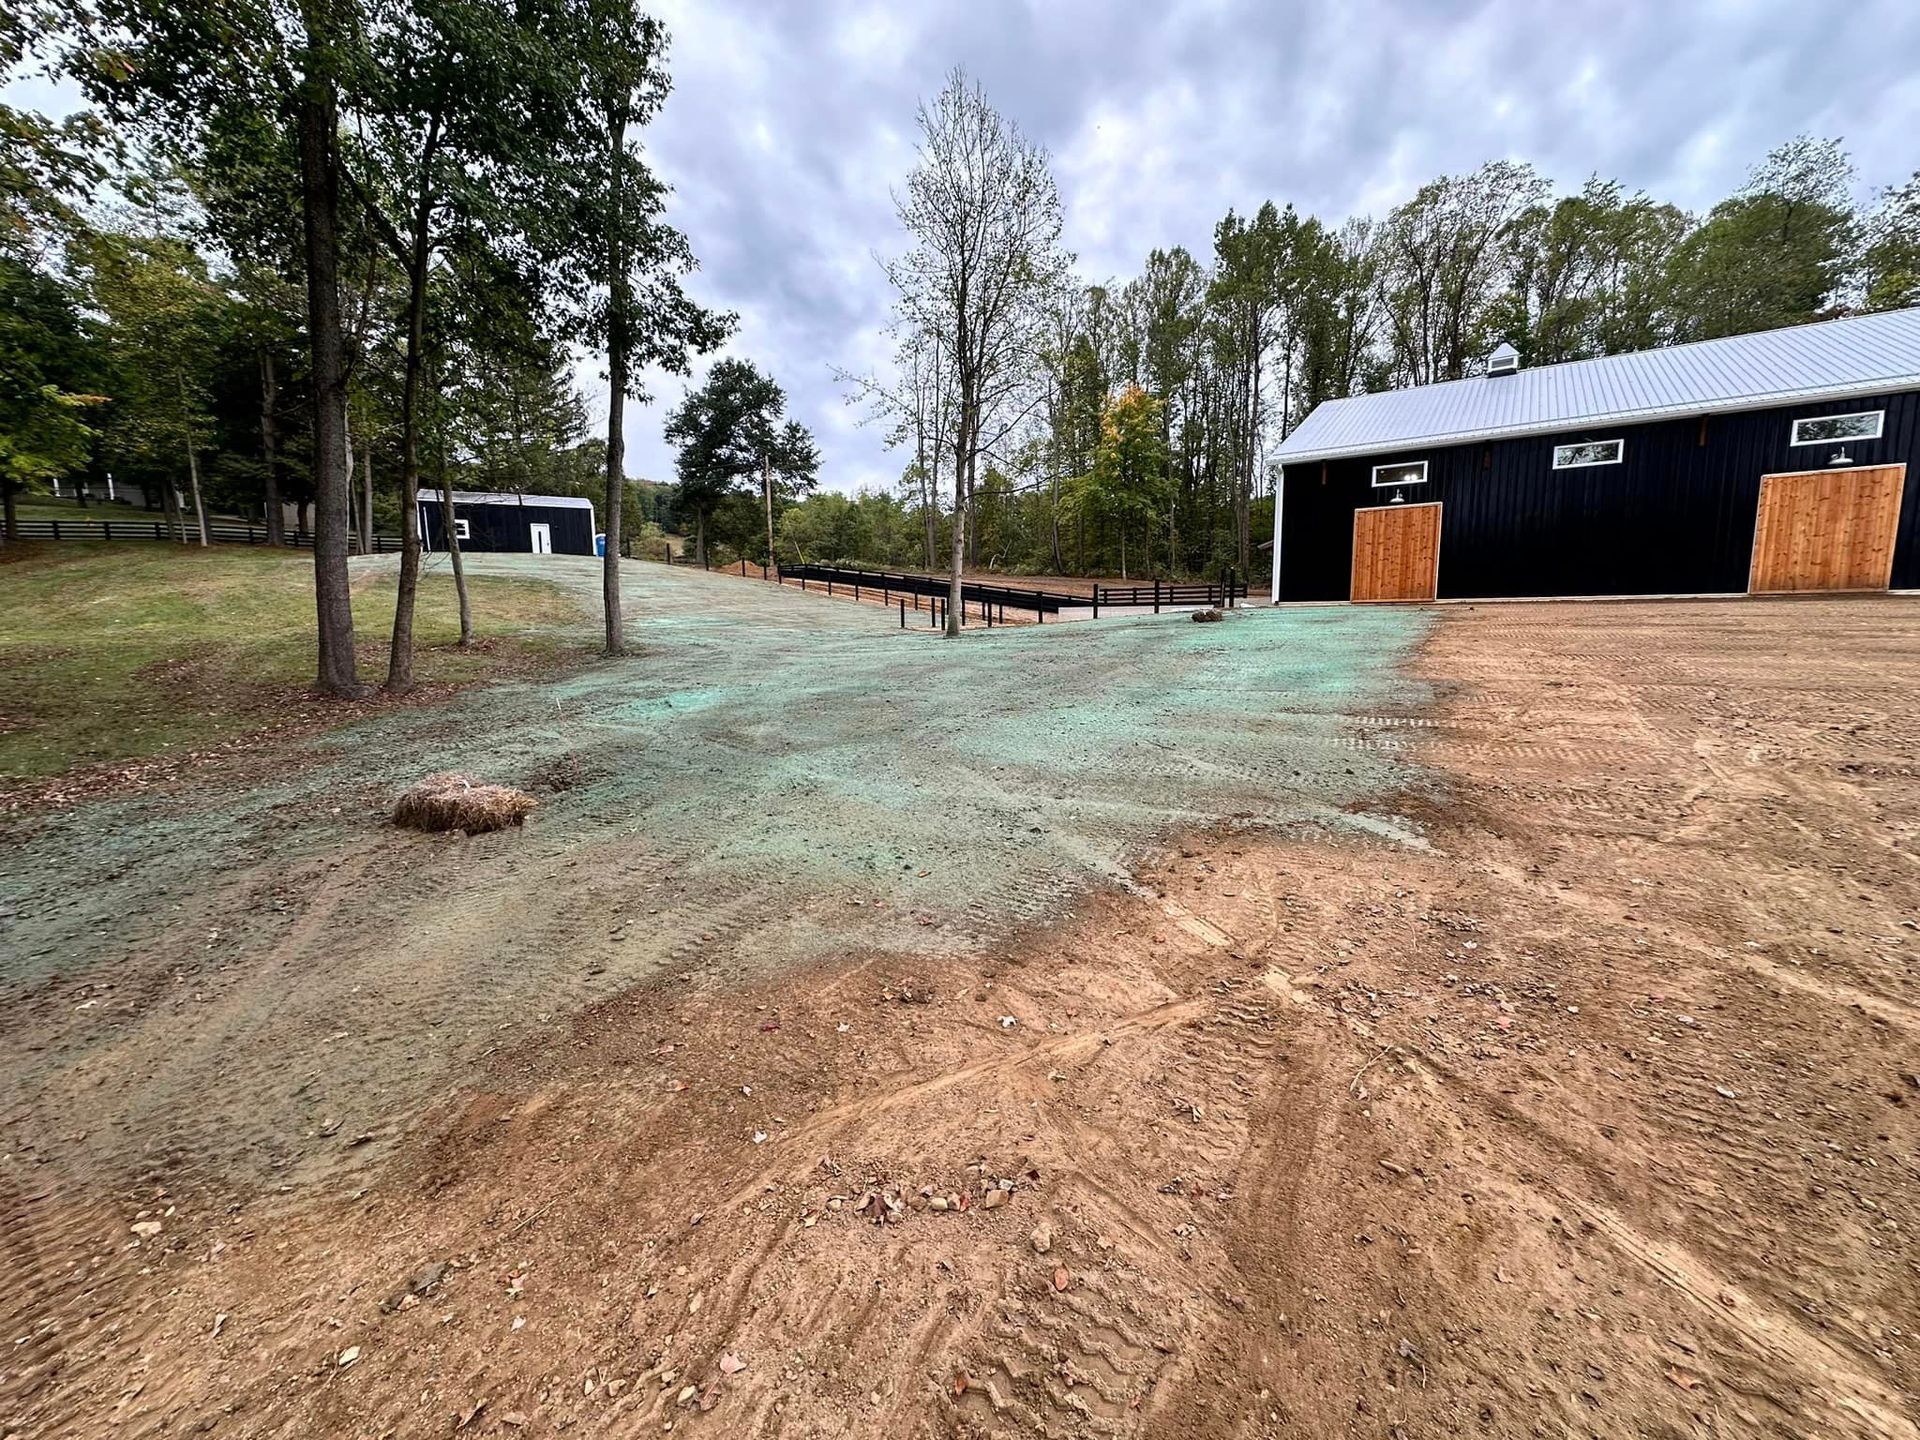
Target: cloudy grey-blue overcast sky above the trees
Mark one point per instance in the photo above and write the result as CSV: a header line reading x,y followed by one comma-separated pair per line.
x,y
792,124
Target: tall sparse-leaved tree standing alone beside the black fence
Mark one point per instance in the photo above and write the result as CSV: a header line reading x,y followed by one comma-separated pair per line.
x,y
986,256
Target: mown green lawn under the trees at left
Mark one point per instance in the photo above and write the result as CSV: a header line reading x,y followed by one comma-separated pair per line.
x,y
132,650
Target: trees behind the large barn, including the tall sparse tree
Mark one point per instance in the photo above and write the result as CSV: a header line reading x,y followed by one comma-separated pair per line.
x,y
1128,425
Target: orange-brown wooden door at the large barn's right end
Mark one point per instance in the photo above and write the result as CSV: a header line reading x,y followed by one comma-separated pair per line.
x,y
1827,529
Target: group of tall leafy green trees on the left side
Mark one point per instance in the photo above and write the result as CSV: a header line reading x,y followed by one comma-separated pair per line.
x,y
339,231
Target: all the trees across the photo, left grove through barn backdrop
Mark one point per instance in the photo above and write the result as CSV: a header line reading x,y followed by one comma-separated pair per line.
x,y
324,258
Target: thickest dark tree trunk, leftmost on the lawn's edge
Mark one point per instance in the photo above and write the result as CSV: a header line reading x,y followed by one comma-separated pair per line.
x,y
320,180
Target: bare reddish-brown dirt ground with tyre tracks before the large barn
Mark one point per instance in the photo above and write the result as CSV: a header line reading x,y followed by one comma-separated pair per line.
x,y
1585,1111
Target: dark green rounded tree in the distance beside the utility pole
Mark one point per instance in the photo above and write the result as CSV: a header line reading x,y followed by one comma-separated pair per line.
x,y
734,429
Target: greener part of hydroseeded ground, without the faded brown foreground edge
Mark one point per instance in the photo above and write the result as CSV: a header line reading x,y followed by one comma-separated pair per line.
x,y
796,738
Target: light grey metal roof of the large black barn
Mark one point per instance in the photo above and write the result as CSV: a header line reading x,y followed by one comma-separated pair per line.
x,y
1829,360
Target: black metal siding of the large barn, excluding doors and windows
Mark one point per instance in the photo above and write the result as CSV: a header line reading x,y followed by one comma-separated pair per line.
x,y
1673,519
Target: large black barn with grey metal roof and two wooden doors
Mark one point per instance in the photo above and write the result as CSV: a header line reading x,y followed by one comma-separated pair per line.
x,y
1760,464
